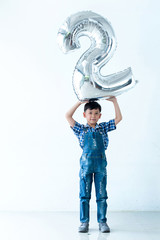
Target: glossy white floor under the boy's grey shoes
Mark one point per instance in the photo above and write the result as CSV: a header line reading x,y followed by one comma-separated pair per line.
x,y
63,226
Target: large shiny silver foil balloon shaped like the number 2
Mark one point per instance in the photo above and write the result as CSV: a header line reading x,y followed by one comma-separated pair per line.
x,y
88,83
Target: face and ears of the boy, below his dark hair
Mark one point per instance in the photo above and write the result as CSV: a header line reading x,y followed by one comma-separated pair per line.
x,y
92,116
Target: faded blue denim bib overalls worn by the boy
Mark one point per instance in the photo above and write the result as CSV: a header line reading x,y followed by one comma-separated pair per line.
x,y
93,165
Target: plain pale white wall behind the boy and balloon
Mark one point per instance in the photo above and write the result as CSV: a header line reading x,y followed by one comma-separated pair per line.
x,y
39,156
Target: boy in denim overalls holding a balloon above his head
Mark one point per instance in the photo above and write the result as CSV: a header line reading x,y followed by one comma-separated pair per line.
x,y
93,139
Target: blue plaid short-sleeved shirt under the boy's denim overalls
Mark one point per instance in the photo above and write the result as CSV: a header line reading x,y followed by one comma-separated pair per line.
x,y
104,128
